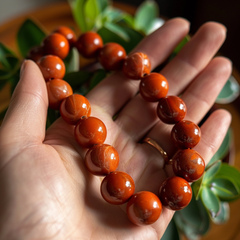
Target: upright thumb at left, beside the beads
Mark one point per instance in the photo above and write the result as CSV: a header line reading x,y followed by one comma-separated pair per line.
x,y
26,115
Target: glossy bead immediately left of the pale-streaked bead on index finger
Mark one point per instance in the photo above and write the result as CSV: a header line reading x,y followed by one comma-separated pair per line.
x,y
111,56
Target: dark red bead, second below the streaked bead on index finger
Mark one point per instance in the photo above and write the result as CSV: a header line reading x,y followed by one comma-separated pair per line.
x,y
171,109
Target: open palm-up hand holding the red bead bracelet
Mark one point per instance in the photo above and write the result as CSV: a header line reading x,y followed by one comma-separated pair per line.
x,y
46,191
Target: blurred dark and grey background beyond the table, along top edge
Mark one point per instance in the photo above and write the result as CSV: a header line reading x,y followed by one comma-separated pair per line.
x,y
197,12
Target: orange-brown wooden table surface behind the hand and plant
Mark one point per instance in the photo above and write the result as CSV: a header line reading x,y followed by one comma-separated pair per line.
x,y
55,15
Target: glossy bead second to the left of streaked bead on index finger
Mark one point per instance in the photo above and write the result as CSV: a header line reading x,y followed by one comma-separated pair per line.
x,y
89,44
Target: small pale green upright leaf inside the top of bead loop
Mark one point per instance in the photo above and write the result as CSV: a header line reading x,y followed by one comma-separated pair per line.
x,y
72,61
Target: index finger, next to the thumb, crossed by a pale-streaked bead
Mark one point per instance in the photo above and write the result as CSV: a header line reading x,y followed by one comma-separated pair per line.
x,y
112,93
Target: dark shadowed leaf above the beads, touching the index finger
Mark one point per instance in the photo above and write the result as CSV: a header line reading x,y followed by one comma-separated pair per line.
x,y
109,36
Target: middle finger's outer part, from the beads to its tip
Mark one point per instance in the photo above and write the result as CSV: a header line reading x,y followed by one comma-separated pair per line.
x,y
194,56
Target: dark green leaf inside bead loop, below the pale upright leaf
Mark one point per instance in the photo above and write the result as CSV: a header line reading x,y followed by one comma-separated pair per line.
x,y
77,79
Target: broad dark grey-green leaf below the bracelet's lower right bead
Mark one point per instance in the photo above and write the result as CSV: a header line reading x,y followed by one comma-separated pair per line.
x,y
193,220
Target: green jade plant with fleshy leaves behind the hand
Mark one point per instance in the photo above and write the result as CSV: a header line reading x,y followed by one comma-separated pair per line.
x,y
220,183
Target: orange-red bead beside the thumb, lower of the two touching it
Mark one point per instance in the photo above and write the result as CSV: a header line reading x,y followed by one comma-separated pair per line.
x,y
58,90
